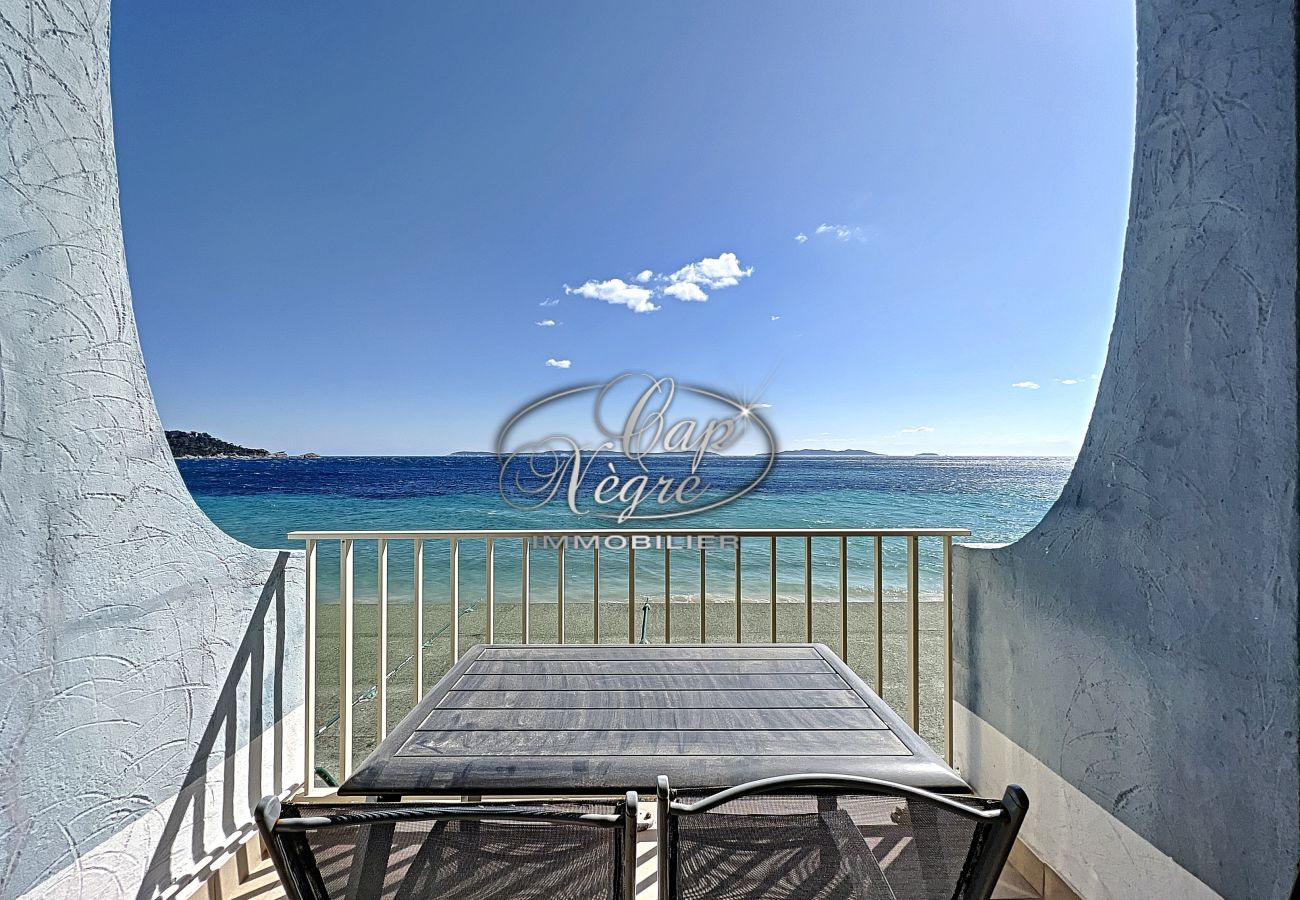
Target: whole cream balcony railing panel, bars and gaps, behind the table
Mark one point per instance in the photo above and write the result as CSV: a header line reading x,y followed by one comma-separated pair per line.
x,y
406,604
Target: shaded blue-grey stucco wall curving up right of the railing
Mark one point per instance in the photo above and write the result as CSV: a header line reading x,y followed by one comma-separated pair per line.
x,y
1142,641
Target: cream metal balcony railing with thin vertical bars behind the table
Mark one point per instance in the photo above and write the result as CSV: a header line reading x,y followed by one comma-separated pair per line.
x,y
860,602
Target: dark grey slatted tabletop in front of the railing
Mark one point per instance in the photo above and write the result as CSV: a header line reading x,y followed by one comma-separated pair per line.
x,y
584,720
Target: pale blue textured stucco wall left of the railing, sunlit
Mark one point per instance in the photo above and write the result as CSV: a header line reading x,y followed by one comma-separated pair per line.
x,y
145,656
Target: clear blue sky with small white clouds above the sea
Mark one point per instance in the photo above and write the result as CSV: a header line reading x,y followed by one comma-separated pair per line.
x,y
341,228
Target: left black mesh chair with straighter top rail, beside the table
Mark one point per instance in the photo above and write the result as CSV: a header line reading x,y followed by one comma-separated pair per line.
x,y
574,851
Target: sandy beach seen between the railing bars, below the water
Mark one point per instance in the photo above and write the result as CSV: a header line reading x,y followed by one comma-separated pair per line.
x,y
721,629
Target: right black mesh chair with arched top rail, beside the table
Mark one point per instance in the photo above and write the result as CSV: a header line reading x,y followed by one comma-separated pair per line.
x,y
834,838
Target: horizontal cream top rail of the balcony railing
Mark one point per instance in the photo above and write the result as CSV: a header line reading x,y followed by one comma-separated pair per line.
x,y
626,533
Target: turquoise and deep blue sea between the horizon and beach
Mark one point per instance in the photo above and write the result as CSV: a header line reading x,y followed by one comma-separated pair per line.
x,y
259,501
